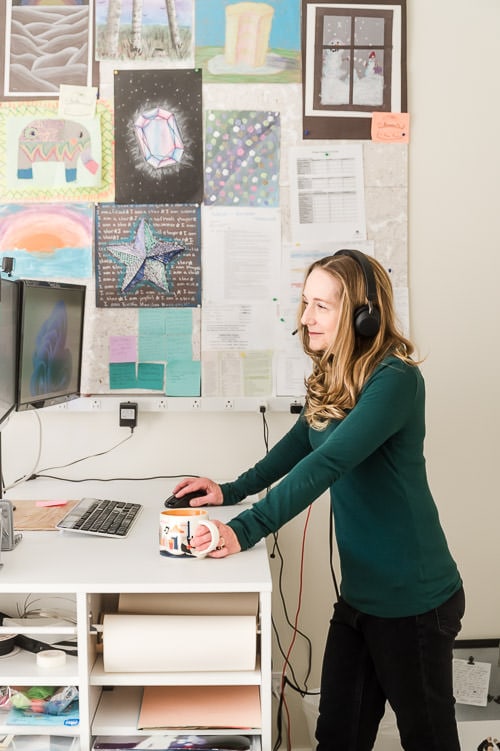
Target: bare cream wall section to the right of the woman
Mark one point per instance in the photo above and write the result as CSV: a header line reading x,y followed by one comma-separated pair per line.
x,y
454,273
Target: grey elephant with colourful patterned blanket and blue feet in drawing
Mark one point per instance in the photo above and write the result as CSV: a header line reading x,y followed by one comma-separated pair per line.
x,y
54,140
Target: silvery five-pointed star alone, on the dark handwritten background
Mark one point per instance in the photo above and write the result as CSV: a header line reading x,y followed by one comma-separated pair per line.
x,y
146,258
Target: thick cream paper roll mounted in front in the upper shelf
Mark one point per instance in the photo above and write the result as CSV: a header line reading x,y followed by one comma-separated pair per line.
x,y
167,643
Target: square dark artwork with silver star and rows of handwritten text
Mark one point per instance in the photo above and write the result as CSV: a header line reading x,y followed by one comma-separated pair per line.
x,y
148,256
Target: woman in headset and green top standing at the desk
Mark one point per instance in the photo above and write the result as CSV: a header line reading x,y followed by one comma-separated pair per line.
x,y
361,435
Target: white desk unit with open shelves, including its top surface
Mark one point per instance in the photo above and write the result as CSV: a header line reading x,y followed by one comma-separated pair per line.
x,y
92,573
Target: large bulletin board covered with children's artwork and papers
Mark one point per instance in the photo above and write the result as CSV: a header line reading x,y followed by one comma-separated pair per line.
x,y
194,257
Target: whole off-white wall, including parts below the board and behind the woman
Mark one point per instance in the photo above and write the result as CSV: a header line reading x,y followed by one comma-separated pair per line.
x,y
454,211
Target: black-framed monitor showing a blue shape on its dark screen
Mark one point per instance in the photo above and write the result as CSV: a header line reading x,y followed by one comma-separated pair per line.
x,y
51,316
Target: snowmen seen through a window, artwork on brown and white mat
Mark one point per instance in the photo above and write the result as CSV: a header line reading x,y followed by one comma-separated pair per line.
x,y
354,60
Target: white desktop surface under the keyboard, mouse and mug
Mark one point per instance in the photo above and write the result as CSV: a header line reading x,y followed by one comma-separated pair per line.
x,y
65,561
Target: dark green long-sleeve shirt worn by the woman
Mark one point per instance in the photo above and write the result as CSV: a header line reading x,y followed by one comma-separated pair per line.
x,y
394,556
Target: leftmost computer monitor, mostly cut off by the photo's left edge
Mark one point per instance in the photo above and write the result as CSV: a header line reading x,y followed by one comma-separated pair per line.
x,y
9,298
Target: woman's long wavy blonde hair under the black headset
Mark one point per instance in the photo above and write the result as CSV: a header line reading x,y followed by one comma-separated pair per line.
x,y
340,372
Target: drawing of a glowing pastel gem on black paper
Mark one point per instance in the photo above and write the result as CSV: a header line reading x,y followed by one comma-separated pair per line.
x,y
158,128
